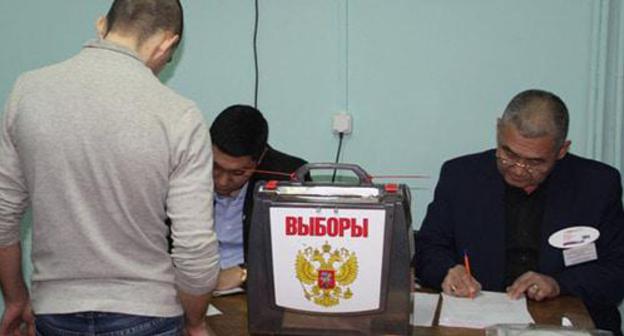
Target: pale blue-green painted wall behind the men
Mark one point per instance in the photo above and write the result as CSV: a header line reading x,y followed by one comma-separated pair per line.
x,y
423,79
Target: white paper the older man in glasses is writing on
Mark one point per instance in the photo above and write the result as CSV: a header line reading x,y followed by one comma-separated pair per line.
x,y
485,309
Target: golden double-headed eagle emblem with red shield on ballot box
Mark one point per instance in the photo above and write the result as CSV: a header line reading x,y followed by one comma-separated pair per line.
x,y
325,275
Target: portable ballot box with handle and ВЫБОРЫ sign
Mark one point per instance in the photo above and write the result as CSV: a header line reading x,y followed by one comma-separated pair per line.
x,y
329,259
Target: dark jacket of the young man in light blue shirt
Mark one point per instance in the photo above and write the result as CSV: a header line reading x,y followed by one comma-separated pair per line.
x,y
273,160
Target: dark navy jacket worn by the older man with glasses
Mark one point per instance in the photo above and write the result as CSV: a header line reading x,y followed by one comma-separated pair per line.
x,y
468,213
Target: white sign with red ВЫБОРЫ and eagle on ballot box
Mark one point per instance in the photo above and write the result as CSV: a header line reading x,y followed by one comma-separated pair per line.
x,y
327,260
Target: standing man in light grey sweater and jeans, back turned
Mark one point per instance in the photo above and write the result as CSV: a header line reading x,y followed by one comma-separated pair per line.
x,y
105,153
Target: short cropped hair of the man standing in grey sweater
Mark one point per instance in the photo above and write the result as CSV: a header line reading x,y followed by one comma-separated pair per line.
x,y
144,18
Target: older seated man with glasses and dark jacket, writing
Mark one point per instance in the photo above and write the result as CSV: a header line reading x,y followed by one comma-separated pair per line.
x,y
503,205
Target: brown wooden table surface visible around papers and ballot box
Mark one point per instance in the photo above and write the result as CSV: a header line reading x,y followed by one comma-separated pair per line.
x,y
234,318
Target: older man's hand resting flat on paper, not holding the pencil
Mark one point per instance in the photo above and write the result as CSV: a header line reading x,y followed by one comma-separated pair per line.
x,y
536,286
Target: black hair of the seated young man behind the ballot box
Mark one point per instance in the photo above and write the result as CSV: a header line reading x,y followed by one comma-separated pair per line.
x,y
240,130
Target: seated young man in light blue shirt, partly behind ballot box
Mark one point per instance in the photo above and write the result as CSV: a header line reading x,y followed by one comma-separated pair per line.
x,y
239,143
